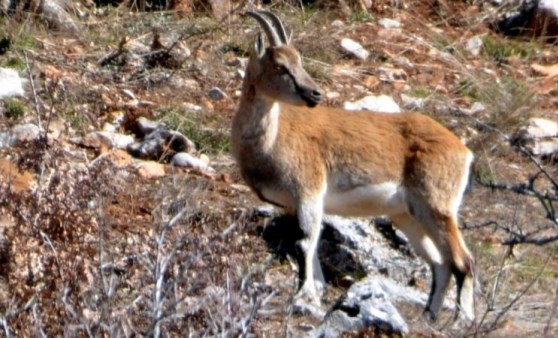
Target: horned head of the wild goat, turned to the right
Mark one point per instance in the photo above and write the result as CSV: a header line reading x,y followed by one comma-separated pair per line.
x,y
276,71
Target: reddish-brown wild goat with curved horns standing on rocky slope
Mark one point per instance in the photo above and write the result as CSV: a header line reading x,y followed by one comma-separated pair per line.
x,y
313,159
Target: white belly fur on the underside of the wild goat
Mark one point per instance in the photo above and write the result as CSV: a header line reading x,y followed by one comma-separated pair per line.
x,y
368,200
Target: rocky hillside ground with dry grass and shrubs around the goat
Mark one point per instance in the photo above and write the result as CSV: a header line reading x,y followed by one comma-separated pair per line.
x,y
123,214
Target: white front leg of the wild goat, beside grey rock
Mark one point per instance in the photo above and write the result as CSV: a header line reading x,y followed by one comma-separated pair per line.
x,y
311,284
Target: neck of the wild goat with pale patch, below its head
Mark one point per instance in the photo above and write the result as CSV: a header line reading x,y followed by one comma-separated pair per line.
x,y
257,120
